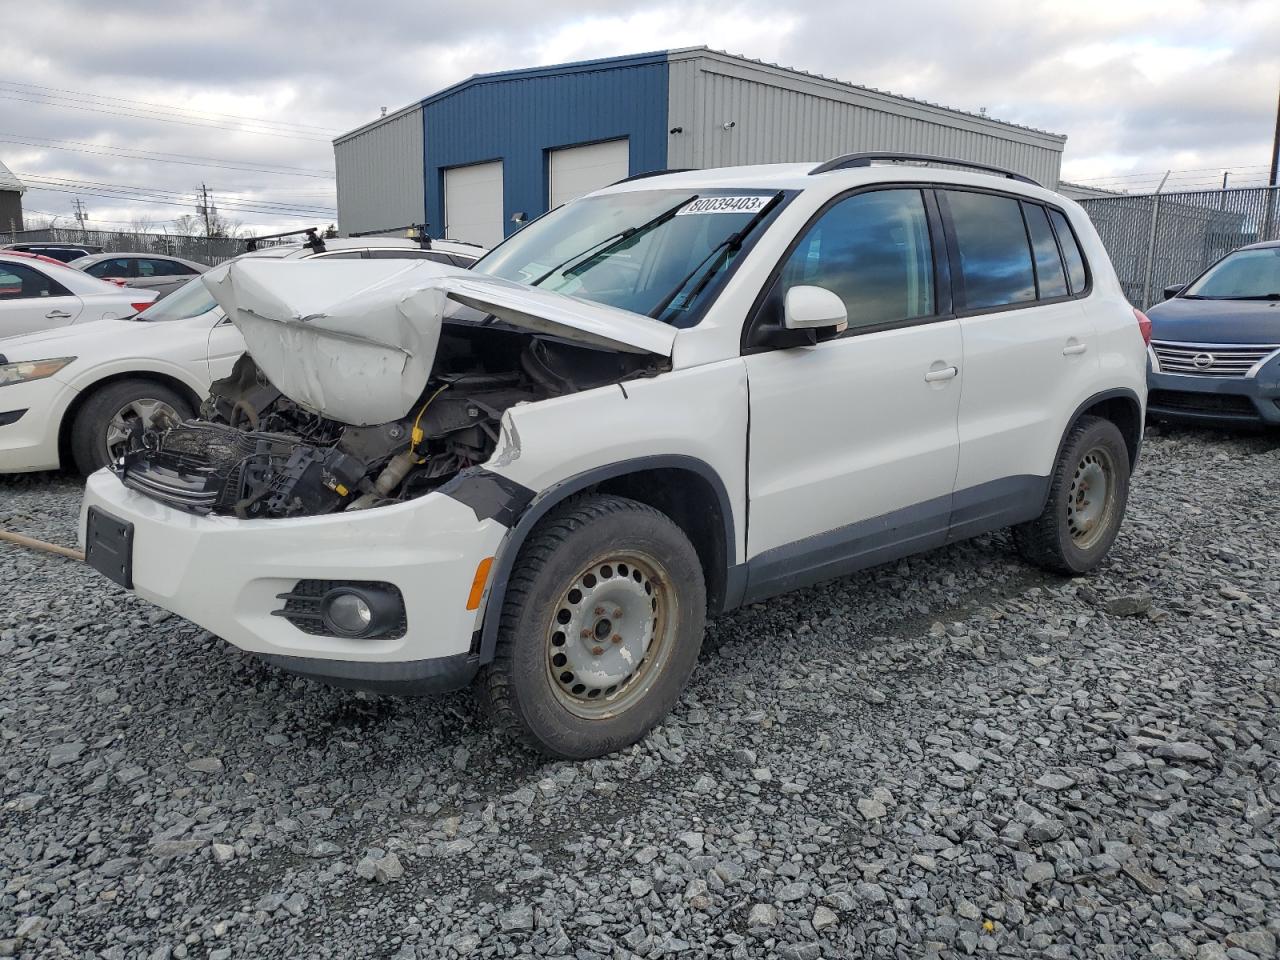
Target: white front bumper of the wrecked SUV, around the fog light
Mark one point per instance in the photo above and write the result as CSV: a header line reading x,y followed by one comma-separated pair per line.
x,y
226,575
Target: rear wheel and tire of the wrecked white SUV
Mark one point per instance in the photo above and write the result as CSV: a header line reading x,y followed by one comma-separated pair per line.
x,y
1086,502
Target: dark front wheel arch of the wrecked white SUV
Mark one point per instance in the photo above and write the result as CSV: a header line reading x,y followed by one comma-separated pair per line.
x,y
687,490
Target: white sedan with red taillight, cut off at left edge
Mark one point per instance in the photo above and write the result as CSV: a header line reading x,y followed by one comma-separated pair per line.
x,y
39,295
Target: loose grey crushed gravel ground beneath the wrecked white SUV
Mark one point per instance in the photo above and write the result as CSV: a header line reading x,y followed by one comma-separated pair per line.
x,y
950,756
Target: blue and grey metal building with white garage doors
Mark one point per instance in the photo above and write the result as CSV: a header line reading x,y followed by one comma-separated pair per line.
x,y
491,153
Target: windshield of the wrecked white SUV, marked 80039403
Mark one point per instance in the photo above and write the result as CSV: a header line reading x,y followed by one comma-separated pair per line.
x,y
653,253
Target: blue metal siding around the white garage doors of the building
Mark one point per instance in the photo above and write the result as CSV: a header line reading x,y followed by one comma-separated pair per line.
x,y
519,117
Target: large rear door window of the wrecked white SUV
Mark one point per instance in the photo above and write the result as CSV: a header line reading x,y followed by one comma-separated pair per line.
x,y
995,257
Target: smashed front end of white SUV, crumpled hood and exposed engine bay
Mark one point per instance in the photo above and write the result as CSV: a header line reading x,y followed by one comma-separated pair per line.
x,y
294,431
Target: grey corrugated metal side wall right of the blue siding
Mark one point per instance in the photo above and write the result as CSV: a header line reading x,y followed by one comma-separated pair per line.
x,y
781,116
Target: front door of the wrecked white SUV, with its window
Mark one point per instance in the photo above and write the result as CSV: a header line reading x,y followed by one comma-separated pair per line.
x,y
853,441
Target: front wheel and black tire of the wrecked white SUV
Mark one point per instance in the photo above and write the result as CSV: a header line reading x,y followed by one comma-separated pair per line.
x,y
601,629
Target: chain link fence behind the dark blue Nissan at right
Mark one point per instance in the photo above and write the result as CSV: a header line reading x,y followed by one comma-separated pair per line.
x,y
1158,240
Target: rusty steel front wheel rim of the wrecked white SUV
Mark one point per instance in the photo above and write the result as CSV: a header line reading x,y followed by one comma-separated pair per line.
x,y
611,636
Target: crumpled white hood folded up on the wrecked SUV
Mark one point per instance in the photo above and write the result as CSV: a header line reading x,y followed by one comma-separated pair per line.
x,y
355,340
